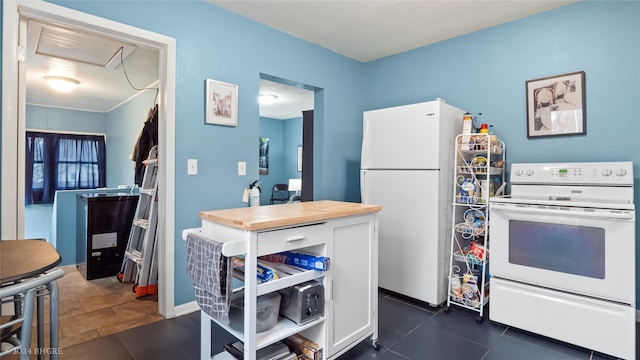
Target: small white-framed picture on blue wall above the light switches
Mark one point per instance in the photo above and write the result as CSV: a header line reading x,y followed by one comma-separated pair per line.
x,y
222,103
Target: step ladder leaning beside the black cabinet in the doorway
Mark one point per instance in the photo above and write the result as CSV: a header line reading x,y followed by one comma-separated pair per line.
x,y
140,258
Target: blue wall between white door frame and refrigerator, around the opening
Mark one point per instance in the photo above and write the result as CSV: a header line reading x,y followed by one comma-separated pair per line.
x,y
213,43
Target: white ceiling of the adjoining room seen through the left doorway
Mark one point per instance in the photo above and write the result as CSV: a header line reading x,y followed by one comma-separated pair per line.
x,y
90,58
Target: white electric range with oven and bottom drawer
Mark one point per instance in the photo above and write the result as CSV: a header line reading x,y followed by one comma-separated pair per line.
x,y
563,254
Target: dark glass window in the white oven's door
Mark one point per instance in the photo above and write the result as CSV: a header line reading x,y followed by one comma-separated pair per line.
x,y
578,250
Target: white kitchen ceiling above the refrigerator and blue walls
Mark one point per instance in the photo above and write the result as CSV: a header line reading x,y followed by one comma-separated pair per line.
x,y
367,30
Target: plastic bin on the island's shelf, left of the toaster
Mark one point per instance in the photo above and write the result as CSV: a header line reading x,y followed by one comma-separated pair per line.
x,y
267,310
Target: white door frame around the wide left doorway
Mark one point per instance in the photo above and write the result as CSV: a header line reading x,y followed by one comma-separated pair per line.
x,y
13,124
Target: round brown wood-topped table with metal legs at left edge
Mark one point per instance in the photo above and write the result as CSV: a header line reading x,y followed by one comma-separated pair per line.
x,y
23,259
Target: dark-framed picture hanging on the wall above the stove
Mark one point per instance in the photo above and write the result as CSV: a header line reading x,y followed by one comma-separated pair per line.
x,y
556,105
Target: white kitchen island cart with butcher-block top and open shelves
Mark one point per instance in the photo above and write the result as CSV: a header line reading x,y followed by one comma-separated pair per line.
x,y
346,233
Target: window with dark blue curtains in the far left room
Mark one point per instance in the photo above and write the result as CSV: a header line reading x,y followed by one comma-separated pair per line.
x,y
62,162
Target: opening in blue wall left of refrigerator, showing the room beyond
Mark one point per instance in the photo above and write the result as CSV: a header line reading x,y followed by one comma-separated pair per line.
x,y
281,134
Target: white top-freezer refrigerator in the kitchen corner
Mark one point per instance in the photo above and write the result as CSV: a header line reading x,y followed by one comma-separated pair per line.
x,y
407,168
